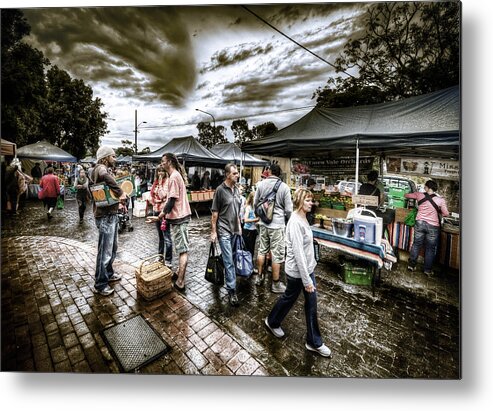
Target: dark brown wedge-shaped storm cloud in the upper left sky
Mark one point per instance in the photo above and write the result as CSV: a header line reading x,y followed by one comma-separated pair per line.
x,y
128,42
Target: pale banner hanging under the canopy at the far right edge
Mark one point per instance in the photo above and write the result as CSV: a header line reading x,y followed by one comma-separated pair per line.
x,y
446,169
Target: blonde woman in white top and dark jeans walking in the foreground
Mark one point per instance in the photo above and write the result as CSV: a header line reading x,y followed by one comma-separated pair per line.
x,y
299,267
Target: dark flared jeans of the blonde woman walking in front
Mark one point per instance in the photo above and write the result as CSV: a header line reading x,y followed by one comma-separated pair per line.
x,y
285,303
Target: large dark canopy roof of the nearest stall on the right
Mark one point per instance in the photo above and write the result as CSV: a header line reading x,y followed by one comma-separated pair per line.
x,y
426,125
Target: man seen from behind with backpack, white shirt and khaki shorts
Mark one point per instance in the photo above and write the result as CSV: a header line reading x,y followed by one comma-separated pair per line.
x,y
273,216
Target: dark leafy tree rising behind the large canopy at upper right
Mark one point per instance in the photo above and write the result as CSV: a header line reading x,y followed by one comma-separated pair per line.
x,y
407,49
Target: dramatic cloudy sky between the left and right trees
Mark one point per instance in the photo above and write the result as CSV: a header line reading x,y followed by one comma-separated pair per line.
x,y
166,61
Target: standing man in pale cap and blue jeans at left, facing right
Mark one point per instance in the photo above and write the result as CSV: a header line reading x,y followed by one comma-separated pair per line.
x,y
107,222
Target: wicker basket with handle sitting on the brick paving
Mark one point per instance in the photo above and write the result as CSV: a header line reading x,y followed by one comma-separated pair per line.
x,y
153,278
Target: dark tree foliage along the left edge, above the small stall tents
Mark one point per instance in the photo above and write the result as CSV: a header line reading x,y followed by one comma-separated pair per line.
x,y
40,101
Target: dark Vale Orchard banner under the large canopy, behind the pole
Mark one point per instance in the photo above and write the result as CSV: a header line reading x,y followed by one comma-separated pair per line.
x,y
331,166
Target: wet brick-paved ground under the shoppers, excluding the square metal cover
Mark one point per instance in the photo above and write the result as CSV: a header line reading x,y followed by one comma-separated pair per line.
x,y
52,321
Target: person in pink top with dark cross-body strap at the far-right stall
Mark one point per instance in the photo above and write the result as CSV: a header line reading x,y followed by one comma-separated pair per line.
x,y
431,208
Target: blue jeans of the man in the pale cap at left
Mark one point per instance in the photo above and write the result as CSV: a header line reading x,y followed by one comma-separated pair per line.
x,y
107,246
